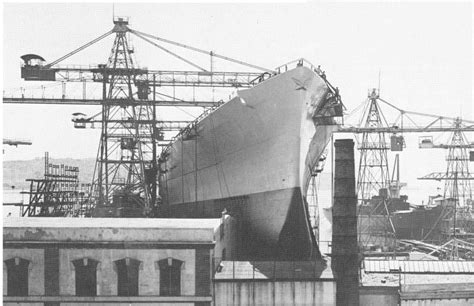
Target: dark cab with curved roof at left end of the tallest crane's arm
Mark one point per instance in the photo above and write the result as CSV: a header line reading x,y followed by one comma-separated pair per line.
x,y
34,69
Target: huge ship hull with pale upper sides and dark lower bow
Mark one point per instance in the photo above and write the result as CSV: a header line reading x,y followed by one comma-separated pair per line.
x,y
253,158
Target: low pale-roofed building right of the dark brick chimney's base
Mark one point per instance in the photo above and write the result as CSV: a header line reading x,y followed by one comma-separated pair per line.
x,y
417,282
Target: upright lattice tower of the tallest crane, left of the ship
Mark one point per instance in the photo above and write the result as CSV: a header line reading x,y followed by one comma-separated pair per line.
x,y
126,167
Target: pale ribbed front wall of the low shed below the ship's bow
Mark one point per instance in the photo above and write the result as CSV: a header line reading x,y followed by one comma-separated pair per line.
x,y
275,293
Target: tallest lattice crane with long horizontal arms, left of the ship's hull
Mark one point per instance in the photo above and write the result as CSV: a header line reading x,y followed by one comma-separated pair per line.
x,y
125,175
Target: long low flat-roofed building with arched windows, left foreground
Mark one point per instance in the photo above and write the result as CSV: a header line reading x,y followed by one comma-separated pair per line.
x,y
67,261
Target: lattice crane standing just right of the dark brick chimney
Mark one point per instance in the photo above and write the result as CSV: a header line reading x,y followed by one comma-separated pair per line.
x,y
373,175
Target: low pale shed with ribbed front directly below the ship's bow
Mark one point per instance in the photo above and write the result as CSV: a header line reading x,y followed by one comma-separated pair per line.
x,y
275,283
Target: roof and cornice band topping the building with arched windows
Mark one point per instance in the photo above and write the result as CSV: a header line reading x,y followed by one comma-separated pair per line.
x,y
87,231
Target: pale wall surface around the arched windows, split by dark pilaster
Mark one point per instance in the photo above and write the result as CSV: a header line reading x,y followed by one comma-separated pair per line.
x,y
106,273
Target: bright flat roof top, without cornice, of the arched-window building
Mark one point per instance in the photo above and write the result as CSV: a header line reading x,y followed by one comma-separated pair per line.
x,y
58,222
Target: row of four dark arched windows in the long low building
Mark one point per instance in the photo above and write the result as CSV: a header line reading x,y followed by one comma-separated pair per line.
x,y
86,276
